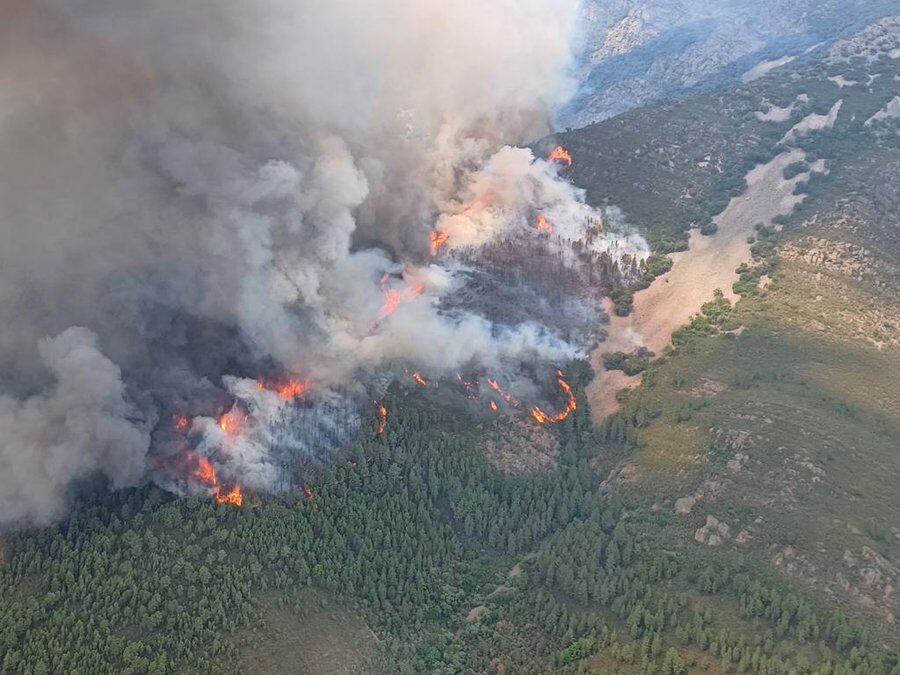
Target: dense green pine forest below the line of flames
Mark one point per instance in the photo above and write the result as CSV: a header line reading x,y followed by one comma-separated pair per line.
x,y
418,533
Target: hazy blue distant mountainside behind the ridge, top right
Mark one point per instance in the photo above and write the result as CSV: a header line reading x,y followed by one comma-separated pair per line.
x,y
641,51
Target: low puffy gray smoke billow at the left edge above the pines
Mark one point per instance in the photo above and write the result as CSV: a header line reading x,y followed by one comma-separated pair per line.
x,y
81,426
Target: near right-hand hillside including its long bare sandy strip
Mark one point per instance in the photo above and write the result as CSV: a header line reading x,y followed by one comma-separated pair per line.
x,y
772,428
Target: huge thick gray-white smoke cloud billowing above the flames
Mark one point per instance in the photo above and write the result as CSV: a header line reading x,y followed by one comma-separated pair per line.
x,y
212,184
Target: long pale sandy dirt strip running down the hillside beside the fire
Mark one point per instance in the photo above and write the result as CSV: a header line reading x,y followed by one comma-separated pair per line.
x,y
708,264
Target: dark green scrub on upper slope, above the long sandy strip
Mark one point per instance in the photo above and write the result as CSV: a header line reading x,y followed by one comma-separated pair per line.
x,y
674,166
